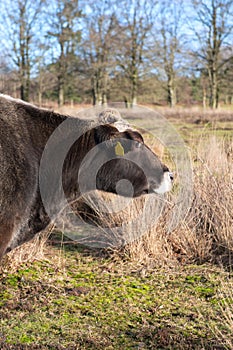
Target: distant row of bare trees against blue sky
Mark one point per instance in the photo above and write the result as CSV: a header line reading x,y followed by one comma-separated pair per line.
x,y
94,51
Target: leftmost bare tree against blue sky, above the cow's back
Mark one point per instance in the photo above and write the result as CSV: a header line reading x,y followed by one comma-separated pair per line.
x,y
20,20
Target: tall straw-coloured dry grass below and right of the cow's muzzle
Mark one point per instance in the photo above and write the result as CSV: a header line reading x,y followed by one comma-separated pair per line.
x,y
204,235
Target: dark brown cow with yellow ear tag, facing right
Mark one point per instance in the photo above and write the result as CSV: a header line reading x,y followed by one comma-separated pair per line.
x,y
111,155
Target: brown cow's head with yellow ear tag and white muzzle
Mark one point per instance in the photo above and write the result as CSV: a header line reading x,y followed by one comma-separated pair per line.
x,y
130,168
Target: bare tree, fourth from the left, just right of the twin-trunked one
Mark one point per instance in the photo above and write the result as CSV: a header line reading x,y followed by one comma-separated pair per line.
x,y
136,21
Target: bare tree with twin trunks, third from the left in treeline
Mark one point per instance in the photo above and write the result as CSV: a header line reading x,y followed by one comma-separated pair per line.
x,y
99,47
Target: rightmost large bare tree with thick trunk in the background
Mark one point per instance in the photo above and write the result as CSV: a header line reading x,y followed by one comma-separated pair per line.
x,y
212,27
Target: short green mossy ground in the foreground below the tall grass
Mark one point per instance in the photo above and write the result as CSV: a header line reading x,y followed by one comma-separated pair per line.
x,y
93,303
